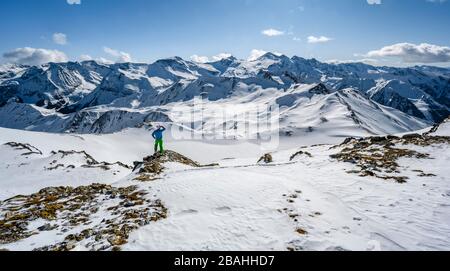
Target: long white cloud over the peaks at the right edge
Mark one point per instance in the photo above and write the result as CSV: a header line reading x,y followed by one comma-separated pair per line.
x,y
412,53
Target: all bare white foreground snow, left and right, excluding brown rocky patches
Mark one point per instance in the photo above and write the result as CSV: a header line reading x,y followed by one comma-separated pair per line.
x,y
309,203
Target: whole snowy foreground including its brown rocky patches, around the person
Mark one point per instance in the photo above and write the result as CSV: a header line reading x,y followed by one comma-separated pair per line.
x,y
393,194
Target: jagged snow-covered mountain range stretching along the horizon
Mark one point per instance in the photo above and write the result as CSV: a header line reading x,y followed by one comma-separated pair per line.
x,y
91,97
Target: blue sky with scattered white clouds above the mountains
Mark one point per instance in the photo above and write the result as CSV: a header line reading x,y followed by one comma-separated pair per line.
x,y
382,32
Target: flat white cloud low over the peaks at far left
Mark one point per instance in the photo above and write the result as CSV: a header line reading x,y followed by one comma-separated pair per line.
x,y
33,56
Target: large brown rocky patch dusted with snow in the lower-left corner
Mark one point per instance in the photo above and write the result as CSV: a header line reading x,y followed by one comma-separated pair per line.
x,y
77,210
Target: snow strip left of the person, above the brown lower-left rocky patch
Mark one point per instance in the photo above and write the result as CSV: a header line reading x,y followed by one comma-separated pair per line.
x,y
24,173
